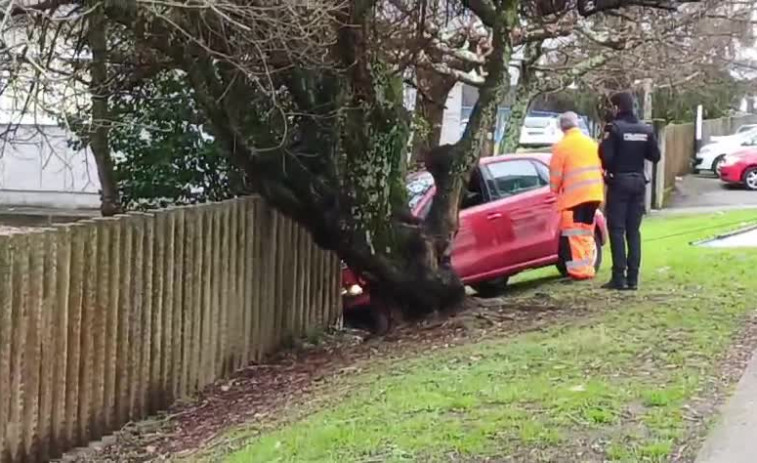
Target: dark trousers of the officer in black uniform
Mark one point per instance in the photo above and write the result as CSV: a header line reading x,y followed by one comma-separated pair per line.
x,y
625,208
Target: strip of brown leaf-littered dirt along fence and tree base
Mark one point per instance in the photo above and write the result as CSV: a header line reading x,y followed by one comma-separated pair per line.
x,y
259,393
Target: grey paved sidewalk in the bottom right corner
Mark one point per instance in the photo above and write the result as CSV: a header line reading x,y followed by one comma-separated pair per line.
x,y
734,440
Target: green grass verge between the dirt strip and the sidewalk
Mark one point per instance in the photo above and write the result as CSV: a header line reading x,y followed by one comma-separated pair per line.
x,y
613,385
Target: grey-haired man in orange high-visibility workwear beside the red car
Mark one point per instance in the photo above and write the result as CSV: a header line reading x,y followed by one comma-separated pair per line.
x,y
576,178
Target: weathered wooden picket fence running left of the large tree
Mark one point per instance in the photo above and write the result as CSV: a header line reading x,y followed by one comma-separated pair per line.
x,y
106,321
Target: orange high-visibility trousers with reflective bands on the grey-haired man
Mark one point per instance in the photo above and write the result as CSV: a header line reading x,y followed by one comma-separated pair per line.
x,y
583,248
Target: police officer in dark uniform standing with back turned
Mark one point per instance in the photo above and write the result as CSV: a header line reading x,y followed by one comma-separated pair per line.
x,y
626,144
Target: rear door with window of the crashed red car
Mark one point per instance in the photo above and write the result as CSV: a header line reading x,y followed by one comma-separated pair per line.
x,y
523,200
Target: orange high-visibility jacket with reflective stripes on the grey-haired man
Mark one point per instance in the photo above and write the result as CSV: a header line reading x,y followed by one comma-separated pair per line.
x,y
575,170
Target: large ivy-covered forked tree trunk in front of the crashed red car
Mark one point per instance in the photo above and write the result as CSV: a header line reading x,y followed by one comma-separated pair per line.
x,y
342,175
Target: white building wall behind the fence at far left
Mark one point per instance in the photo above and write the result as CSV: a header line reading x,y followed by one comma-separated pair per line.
x,y
37,168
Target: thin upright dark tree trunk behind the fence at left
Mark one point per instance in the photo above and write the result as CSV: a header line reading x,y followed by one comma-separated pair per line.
x,y
98,138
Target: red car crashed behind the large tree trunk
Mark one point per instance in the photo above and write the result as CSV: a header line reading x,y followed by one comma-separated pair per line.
x,y
508,223
